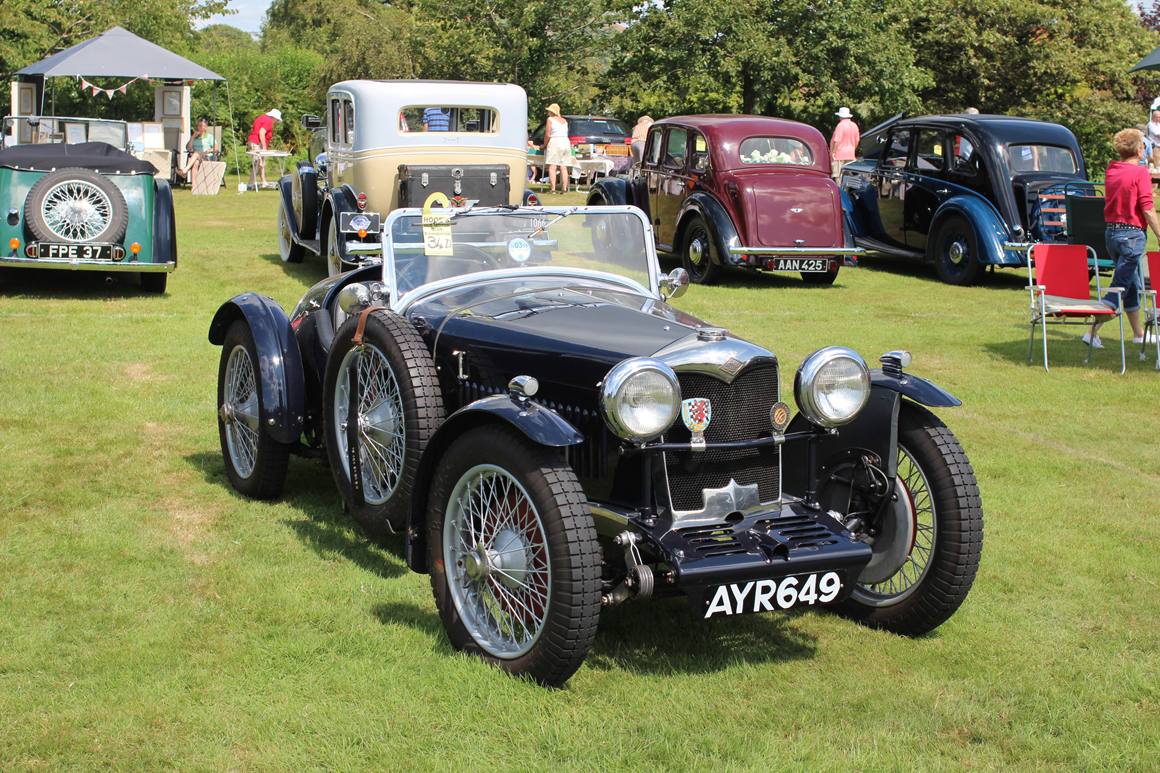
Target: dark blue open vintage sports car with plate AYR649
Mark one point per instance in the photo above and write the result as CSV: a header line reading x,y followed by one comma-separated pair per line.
x,y
518,399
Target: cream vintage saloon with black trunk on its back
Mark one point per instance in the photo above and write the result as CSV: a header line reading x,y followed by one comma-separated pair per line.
x,y
387,145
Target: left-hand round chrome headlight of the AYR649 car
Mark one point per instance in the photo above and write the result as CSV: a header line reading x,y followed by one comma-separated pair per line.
x,y
641,399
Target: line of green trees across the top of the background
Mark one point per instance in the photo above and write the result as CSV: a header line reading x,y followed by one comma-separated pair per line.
x,y
801,60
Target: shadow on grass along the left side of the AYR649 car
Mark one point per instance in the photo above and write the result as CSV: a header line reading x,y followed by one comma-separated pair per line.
x,y
325,529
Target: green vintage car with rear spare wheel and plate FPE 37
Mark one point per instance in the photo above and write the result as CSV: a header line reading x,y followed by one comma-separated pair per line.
x,y
86,207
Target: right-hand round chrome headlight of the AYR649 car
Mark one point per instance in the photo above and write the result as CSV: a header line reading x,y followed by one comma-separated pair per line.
x,y
832,386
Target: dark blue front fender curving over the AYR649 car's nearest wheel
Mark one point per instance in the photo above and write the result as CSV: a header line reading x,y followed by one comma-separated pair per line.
x,y
538,423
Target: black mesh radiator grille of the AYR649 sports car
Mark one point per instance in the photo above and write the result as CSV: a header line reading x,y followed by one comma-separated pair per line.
x,y
741,411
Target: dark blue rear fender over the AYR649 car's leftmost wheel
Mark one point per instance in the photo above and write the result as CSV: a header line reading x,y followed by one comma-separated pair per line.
x,y
279,362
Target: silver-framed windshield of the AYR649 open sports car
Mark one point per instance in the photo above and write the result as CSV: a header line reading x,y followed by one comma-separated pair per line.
x,y
454,244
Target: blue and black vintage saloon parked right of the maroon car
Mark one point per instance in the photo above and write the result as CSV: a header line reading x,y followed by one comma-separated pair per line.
x,y
962,191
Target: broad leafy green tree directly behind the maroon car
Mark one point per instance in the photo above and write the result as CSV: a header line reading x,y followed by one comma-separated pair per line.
x,y
792,59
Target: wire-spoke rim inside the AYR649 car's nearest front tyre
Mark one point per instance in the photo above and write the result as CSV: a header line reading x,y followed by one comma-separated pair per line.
x,y
498,572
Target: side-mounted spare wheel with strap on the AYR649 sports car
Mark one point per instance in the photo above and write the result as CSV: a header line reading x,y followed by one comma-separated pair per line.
x,y
397,375
